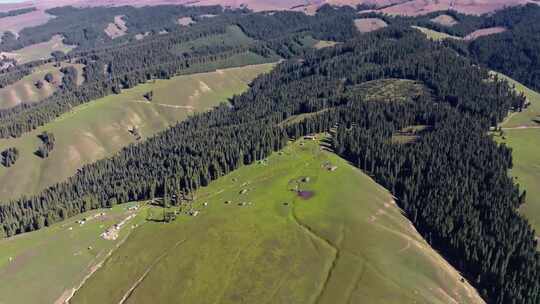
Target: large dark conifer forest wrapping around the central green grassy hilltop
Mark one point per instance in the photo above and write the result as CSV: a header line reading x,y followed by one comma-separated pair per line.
x,y
452,180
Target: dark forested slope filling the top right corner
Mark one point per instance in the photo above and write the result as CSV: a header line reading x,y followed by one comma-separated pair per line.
x,y
514,52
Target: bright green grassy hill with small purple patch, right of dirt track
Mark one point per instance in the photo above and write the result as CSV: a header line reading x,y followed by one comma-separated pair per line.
x,y
343,241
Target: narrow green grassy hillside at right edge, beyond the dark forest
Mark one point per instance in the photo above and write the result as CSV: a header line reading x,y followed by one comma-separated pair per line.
x,y
522,133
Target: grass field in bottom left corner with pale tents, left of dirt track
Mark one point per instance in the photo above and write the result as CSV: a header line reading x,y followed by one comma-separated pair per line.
x,y
47,264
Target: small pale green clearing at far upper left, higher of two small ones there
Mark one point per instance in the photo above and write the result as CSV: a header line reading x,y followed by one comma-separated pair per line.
x,y
41,50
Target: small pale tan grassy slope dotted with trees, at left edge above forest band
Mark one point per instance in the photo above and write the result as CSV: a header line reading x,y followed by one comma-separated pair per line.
x,y
26,91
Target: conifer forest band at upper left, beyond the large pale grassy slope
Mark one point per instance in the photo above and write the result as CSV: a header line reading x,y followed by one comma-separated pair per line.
x,y
110,69
